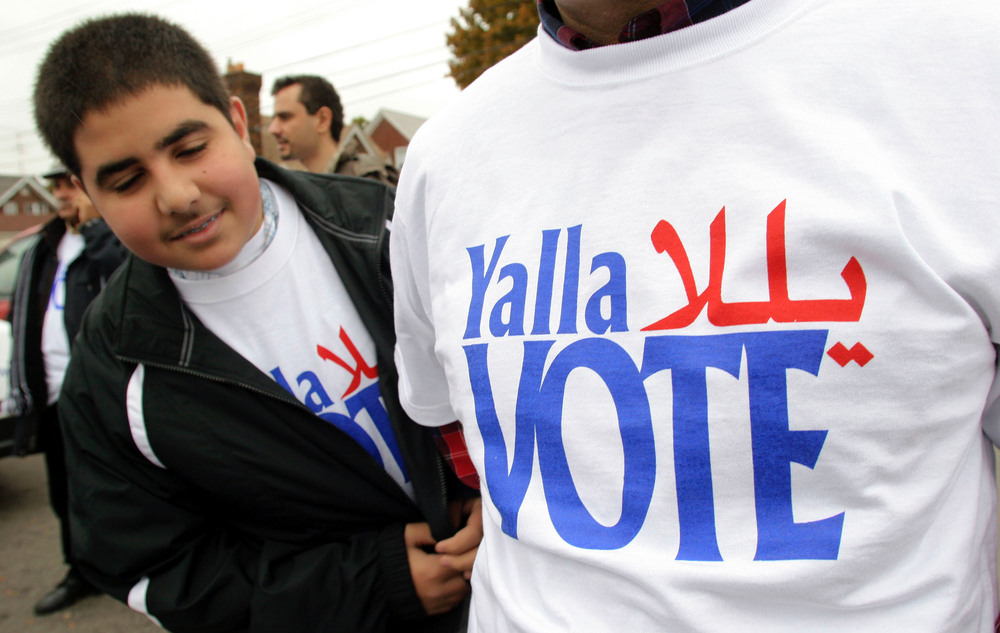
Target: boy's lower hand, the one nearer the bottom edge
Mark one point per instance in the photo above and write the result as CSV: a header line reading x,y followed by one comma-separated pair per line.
x,y
439,587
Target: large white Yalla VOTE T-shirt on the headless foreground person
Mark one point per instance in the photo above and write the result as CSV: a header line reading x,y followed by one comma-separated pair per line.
x,y
720,470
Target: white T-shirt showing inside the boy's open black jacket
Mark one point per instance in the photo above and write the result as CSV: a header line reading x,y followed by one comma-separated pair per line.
x,y
288,313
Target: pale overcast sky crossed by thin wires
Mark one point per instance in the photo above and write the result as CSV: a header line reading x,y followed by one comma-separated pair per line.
x,y
378,53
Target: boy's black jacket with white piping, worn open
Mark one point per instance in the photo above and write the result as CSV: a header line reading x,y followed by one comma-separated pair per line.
x,y
259,515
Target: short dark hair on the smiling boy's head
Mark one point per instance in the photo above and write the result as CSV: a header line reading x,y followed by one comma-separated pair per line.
x,y
103,61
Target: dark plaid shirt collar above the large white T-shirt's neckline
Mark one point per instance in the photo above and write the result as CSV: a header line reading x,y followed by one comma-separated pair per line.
x,y
669,16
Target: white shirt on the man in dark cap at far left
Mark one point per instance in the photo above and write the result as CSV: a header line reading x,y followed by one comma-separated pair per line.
x,y
55,339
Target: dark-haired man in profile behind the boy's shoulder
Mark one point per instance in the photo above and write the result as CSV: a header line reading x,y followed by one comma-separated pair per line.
x,y
308,120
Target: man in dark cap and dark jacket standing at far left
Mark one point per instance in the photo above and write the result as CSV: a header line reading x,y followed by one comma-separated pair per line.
x,y
58,278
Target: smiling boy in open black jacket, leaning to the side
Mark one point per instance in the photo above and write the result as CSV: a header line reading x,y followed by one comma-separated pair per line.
x,y
230,409
